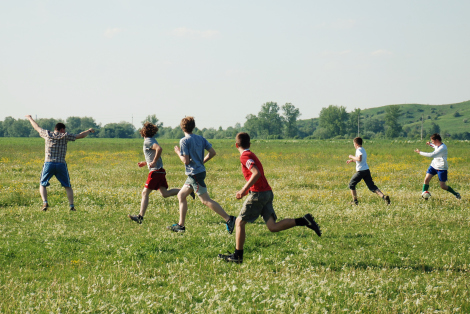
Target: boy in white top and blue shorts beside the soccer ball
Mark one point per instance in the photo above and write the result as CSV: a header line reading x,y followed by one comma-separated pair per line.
x,y
438,165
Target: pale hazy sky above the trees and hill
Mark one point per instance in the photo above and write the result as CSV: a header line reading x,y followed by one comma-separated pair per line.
x,y
222,60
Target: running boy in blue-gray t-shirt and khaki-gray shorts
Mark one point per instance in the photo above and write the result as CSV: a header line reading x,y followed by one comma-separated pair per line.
x,y
191,153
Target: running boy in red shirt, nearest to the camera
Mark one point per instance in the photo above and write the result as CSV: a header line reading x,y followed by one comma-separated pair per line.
x,y
259,201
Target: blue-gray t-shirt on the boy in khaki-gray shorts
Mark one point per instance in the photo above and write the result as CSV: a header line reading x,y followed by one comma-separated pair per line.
x,y
193,145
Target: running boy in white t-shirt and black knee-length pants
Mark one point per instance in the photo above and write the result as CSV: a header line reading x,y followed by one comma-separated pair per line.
x,y
363,173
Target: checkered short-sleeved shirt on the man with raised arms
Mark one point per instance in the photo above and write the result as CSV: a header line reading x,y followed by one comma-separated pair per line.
x,y
56,145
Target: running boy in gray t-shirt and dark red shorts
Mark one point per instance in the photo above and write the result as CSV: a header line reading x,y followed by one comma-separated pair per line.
x,y
156,179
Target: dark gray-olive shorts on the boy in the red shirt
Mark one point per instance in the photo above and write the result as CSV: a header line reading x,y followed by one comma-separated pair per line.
x,y
258,204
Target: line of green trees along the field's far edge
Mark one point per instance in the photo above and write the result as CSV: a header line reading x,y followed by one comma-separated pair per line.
x,y
271,122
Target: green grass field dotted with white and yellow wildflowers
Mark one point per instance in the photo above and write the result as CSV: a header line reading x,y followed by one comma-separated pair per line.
x,y
410,257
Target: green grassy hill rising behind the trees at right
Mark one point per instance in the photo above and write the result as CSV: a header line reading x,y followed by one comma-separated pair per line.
x,y
452,118
